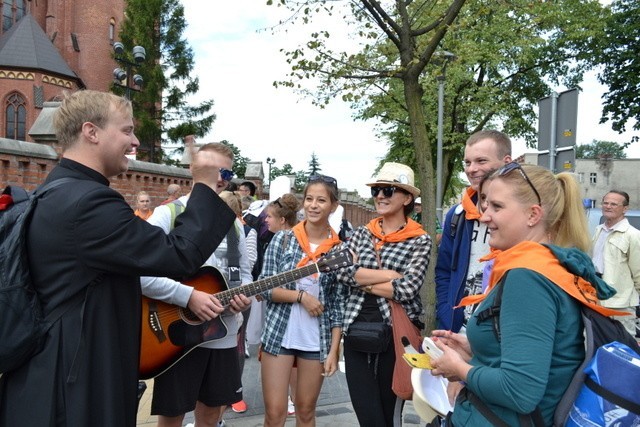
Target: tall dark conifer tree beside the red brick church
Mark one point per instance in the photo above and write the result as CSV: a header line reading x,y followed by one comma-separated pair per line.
x,y
161,108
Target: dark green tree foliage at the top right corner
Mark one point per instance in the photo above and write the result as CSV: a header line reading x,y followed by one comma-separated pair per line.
x,y
621,66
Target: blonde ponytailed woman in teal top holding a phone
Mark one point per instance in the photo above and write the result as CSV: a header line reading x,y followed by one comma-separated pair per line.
x,y
538,229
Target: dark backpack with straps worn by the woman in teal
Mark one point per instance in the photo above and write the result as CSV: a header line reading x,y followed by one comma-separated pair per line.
x,y
598,330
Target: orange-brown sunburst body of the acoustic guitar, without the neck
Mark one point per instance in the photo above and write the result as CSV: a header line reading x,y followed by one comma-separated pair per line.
x,y
170,332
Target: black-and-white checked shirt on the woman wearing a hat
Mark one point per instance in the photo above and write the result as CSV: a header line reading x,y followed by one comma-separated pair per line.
x,y
410,258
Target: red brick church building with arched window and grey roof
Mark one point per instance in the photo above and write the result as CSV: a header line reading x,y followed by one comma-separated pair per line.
x,y
51,46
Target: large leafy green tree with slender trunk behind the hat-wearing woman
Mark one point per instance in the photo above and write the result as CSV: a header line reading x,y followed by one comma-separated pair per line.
x,y
393,75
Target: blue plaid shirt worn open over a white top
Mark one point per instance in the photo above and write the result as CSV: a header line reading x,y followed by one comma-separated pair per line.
x,y
283,254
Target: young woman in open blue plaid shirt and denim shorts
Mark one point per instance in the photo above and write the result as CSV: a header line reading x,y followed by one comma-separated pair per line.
x,y
303,321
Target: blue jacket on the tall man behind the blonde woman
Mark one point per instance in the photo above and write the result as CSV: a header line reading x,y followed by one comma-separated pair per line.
x,y
451,269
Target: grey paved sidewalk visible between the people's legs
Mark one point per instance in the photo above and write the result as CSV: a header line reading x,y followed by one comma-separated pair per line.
x,y
334,405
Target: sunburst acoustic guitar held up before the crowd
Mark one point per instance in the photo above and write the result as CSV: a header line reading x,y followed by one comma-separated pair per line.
x,y
170,332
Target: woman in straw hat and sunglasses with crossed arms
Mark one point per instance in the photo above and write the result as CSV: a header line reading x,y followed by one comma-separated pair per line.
x,y
392,253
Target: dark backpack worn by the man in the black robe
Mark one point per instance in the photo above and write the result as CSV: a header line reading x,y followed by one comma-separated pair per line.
x,y
22,324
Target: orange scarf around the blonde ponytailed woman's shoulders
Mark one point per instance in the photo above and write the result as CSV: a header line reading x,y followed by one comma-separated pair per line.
x,y
536,257
